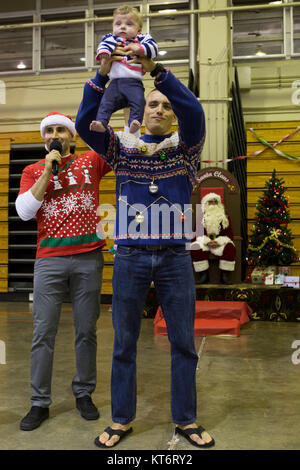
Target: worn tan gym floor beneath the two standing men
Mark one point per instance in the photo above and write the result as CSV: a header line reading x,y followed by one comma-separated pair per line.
x,y
248,387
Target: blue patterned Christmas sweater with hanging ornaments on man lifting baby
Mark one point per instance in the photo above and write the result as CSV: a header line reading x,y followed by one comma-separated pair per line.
x,y
154,174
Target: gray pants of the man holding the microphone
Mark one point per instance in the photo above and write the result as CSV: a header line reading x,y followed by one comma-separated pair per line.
x,y
54,277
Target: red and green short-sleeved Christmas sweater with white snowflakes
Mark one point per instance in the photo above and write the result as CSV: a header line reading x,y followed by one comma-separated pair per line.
x,y
67,219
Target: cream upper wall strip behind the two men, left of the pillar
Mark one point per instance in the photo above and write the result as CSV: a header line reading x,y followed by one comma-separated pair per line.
x,y
30,98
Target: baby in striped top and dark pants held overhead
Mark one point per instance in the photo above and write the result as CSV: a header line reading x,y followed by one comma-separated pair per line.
x,y
126,88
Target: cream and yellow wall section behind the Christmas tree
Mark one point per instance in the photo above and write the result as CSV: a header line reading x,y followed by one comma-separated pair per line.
x,y
270,93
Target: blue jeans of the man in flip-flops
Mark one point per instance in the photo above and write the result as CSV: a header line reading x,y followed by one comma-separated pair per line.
x,y
172,273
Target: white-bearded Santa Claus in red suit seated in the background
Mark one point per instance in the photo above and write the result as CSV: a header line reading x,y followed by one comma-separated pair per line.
x,y
216,239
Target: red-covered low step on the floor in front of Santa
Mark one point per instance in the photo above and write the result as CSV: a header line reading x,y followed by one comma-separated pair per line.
x,y
212,318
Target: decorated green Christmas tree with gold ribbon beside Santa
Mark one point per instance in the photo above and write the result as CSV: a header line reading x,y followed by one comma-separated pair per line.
x,y
270,242
